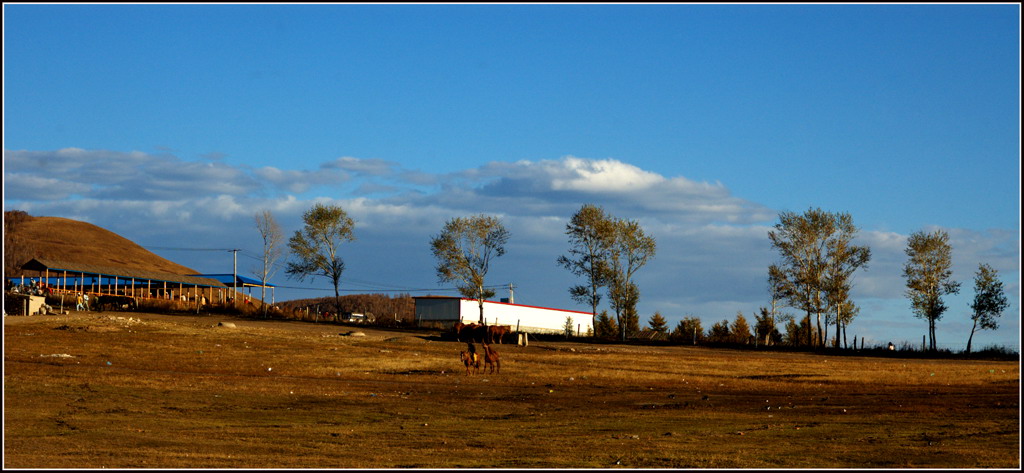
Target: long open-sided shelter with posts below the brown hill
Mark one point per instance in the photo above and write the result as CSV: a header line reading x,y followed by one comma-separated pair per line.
x,y
72,278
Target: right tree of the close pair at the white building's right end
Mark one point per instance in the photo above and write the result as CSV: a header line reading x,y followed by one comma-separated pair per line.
x,y
631,249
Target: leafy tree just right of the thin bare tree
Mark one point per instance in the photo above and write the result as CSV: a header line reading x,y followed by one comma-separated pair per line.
x,y
316,247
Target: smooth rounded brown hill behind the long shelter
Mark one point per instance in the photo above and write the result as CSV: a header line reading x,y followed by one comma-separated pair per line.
x,y
72,241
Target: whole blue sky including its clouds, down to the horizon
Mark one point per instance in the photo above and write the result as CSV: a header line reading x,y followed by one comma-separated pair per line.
x,y
173,125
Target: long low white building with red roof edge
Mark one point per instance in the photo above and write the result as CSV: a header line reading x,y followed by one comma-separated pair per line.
x,y
449,311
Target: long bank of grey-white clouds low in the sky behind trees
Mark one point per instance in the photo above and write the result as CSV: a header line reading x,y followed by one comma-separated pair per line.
x,y
713,249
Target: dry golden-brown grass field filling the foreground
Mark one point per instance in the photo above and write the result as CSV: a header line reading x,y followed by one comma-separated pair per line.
x,y
96,391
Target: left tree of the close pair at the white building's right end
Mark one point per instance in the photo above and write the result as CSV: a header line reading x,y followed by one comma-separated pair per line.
x,y
591,233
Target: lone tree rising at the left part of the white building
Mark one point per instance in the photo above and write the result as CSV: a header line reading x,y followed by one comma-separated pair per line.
x,y
464,251
